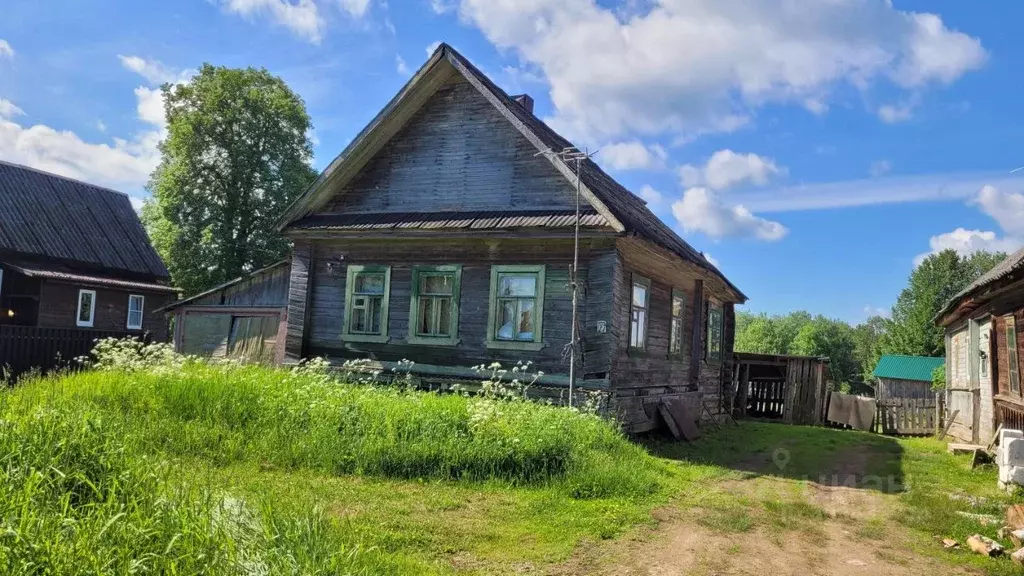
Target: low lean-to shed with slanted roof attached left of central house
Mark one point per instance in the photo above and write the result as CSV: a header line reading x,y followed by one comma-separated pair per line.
x,y
244,318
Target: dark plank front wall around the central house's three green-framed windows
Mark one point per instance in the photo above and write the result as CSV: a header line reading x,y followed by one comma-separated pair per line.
x,y
327,299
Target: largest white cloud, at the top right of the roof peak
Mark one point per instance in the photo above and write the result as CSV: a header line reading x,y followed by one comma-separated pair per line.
x,y
687,67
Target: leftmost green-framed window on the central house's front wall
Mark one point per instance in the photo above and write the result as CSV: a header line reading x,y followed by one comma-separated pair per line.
x,y
367,291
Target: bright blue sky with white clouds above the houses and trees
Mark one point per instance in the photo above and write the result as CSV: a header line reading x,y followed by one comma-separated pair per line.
x,y
815,150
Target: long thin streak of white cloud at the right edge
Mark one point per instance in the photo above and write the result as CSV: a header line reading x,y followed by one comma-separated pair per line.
x,y
868,192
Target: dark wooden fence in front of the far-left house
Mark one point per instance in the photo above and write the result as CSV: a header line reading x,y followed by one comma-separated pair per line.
x,y
26,348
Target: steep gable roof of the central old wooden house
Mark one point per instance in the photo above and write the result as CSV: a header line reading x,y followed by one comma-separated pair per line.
x,y
623,212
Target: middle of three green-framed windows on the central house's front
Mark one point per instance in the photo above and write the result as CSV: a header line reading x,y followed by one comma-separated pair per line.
x,y
434,312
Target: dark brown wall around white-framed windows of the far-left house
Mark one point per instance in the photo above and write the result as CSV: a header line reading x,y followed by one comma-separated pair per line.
x,y
59,306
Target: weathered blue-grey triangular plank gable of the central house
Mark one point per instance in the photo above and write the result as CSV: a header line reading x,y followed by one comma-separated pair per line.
x,y
457,154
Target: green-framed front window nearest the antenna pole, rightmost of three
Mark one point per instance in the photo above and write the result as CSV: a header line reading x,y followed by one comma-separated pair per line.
x,y
517,311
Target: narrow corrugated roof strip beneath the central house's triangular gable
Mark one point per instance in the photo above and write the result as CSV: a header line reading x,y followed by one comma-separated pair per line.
x,y
464,221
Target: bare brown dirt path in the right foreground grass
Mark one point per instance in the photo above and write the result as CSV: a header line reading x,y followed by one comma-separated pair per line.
x,y
852,534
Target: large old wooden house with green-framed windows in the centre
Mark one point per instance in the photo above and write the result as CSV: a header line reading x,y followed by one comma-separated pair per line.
x,y
444,234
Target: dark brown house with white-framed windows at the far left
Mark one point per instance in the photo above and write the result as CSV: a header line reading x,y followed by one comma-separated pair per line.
x,y
75,256
